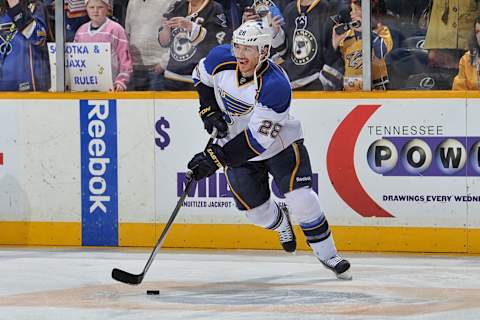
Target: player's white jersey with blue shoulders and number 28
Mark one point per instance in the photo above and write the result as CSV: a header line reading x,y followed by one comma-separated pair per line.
x,y
262,115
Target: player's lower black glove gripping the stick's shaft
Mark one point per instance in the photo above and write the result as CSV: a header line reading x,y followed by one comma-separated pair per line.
x,y
205,163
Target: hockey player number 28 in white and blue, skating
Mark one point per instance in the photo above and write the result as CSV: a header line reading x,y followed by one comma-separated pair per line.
x,y
246,98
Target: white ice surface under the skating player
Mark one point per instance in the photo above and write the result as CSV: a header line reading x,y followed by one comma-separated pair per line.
x,y
48,283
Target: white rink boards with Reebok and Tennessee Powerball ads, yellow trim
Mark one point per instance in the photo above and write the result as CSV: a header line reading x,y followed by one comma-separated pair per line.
x,y
395,171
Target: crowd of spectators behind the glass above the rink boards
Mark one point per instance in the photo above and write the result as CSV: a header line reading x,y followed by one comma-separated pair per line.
x,y
155,44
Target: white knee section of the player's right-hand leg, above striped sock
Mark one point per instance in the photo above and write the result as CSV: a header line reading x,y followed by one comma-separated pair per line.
x,y
304,204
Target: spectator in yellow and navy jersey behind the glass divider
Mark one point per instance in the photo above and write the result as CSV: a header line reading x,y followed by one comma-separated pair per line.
x,y
349,46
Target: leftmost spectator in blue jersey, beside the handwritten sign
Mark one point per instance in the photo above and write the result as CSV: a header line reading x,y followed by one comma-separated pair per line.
x,y
23,65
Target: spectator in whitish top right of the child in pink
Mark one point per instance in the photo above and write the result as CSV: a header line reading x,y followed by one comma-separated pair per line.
x,y
149,58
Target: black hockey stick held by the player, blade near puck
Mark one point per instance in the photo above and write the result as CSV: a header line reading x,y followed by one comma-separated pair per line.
x,y
135,279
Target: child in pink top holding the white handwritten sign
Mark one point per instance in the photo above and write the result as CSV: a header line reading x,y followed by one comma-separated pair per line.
x,y
102,29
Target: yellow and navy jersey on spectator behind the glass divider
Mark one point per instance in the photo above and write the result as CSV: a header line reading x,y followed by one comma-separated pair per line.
x,y
351,50
